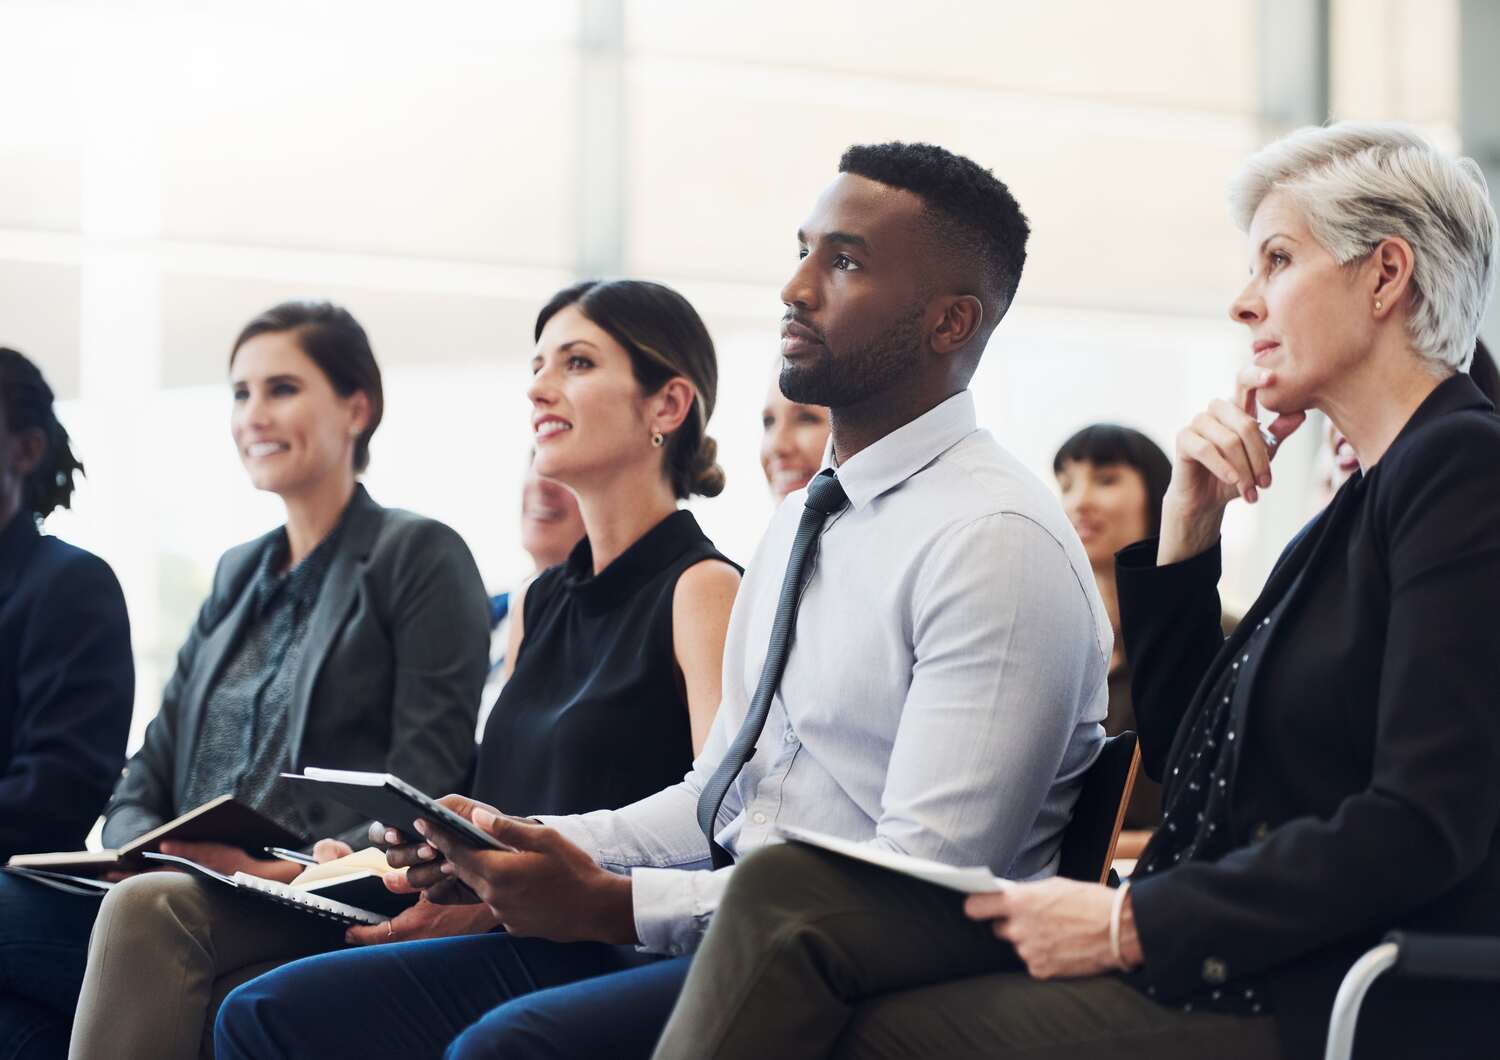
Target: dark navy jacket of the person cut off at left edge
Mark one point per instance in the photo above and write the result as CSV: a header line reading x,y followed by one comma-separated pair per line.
x,y
67,687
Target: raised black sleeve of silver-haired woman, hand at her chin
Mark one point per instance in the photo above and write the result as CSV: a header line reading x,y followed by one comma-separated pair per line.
x,y
1171,623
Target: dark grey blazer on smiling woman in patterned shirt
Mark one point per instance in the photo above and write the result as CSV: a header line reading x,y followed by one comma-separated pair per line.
x,y
391,675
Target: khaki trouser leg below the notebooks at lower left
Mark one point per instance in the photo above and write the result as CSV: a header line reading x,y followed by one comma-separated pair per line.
x,y
166,951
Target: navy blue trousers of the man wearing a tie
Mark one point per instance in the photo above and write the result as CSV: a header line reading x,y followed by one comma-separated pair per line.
x,y
461,999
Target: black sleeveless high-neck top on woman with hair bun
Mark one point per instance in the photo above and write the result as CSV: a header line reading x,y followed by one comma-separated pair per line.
x,y
593,716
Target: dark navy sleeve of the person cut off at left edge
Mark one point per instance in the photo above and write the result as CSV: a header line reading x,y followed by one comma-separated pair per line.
x,y
77,686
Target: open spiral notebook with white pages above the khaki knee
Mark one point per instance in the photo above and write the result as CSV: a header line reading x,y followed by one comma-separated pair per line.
x,y
349,890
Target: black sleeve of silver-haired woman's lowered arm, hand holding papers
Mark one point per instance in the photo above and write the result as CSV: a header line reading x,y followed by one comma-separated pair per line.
x,y
1435,795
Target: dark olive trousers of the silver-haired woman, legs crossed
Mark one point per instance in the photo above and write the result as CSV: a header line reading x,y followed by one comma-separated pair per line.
x,y
814,956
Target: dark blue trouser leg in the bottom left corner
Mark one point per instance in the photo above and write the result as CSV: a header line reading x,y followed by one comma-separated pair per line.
x,y
44,945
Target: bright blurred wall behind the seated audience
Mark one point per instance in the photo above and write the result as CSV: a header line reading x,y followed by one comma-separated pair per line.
x,y
169,170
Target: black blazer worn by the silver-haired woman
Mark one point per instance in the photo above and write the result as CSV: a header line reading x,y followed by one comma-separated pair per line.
x,y
1367,794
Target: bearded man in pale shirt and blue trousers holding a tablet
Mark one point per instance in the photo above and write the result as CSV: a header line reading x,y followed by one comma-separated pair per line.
x,y
943,693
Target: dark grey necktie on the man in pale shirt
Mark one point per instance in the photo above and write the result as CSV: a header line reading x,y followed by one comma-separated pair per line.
x,y
824,499
